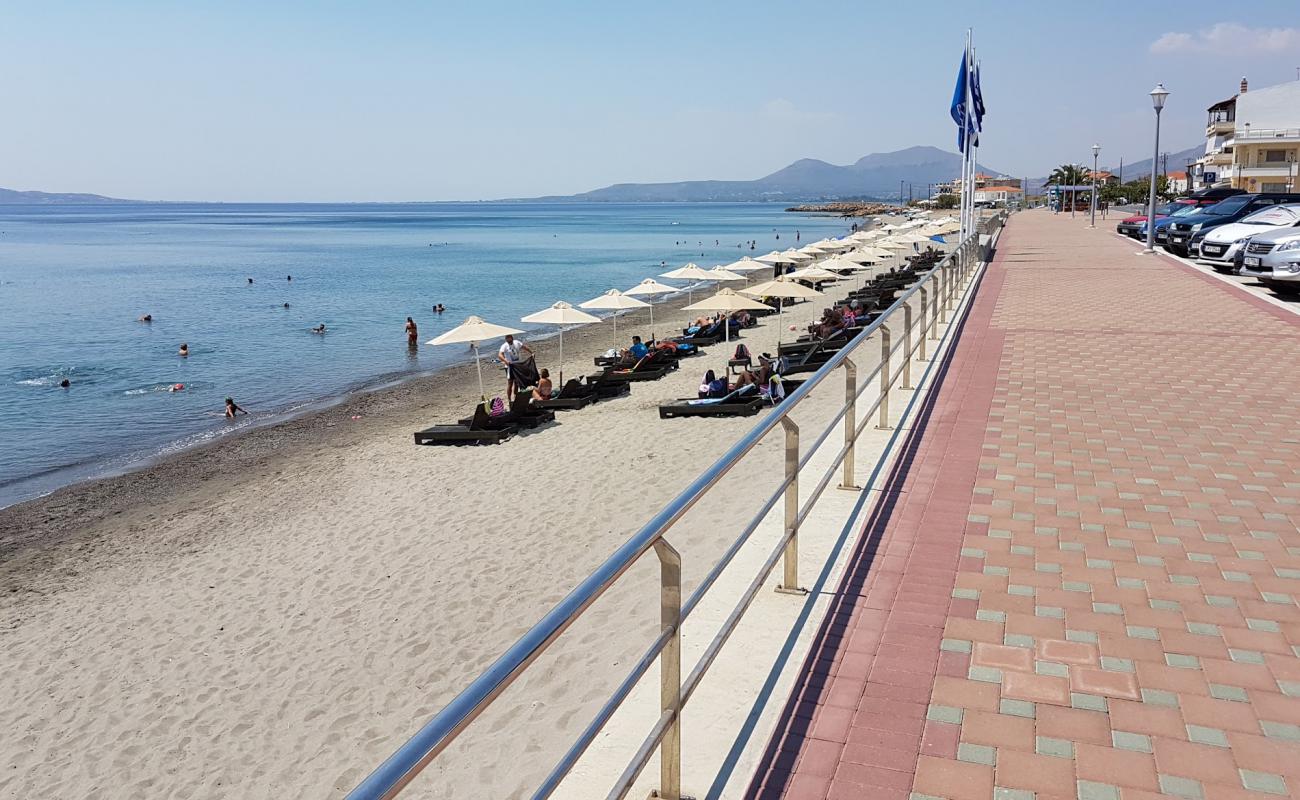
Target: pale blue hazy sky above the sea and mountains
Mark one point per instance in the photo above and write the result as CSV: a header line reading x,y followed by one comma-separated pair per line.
x,y
365,102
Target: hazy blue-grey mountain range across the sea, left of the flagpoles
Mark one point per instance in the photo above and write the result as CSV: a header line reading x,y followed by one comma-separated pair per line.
x,y
870,178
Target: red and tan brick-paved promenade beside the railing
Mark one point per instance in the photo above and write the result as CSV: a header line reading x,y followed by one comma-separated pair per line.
x,y
1084,578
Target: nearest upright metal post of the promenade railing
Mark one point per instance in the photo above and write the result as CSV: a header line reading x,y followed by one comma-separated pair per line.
x,y
670,669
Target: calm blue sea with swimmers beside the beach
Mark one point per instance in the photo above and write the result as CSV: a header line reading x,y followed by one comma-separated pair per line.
x,y
75,280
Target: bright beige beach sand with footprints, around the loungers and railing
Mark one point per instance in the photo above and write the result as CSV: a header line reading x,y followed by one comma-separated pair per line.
x,y
274,616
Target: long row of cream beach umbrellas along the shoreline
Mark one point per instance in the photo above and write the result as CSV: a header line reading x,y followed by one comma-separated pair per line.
x,y
856,253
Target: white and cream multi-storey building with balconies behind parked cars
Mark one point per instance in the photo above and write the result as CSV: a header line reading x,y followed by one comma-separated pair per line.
x,y
1253,141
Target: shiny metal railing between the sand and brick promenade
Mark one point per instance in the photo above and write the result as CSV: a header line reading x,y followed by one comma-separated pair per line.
x,y
938,293
